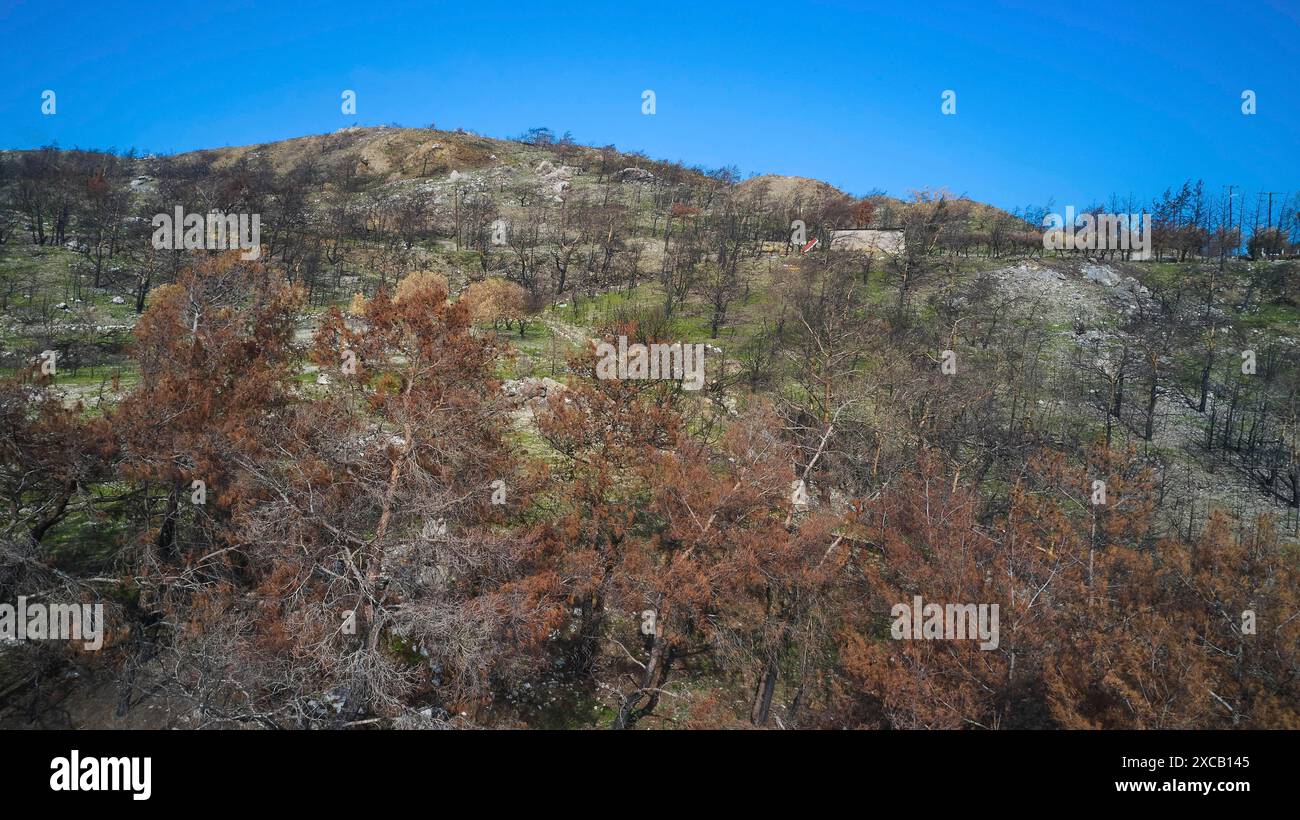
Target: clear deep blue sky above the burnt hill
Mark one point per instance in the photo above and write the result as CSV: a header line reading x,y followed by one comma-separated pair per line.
x,y
1052,102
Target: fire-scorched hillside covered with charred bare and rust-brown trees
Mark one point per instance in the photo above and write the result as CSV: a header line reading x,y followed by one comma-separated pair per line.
x,y
382,475
